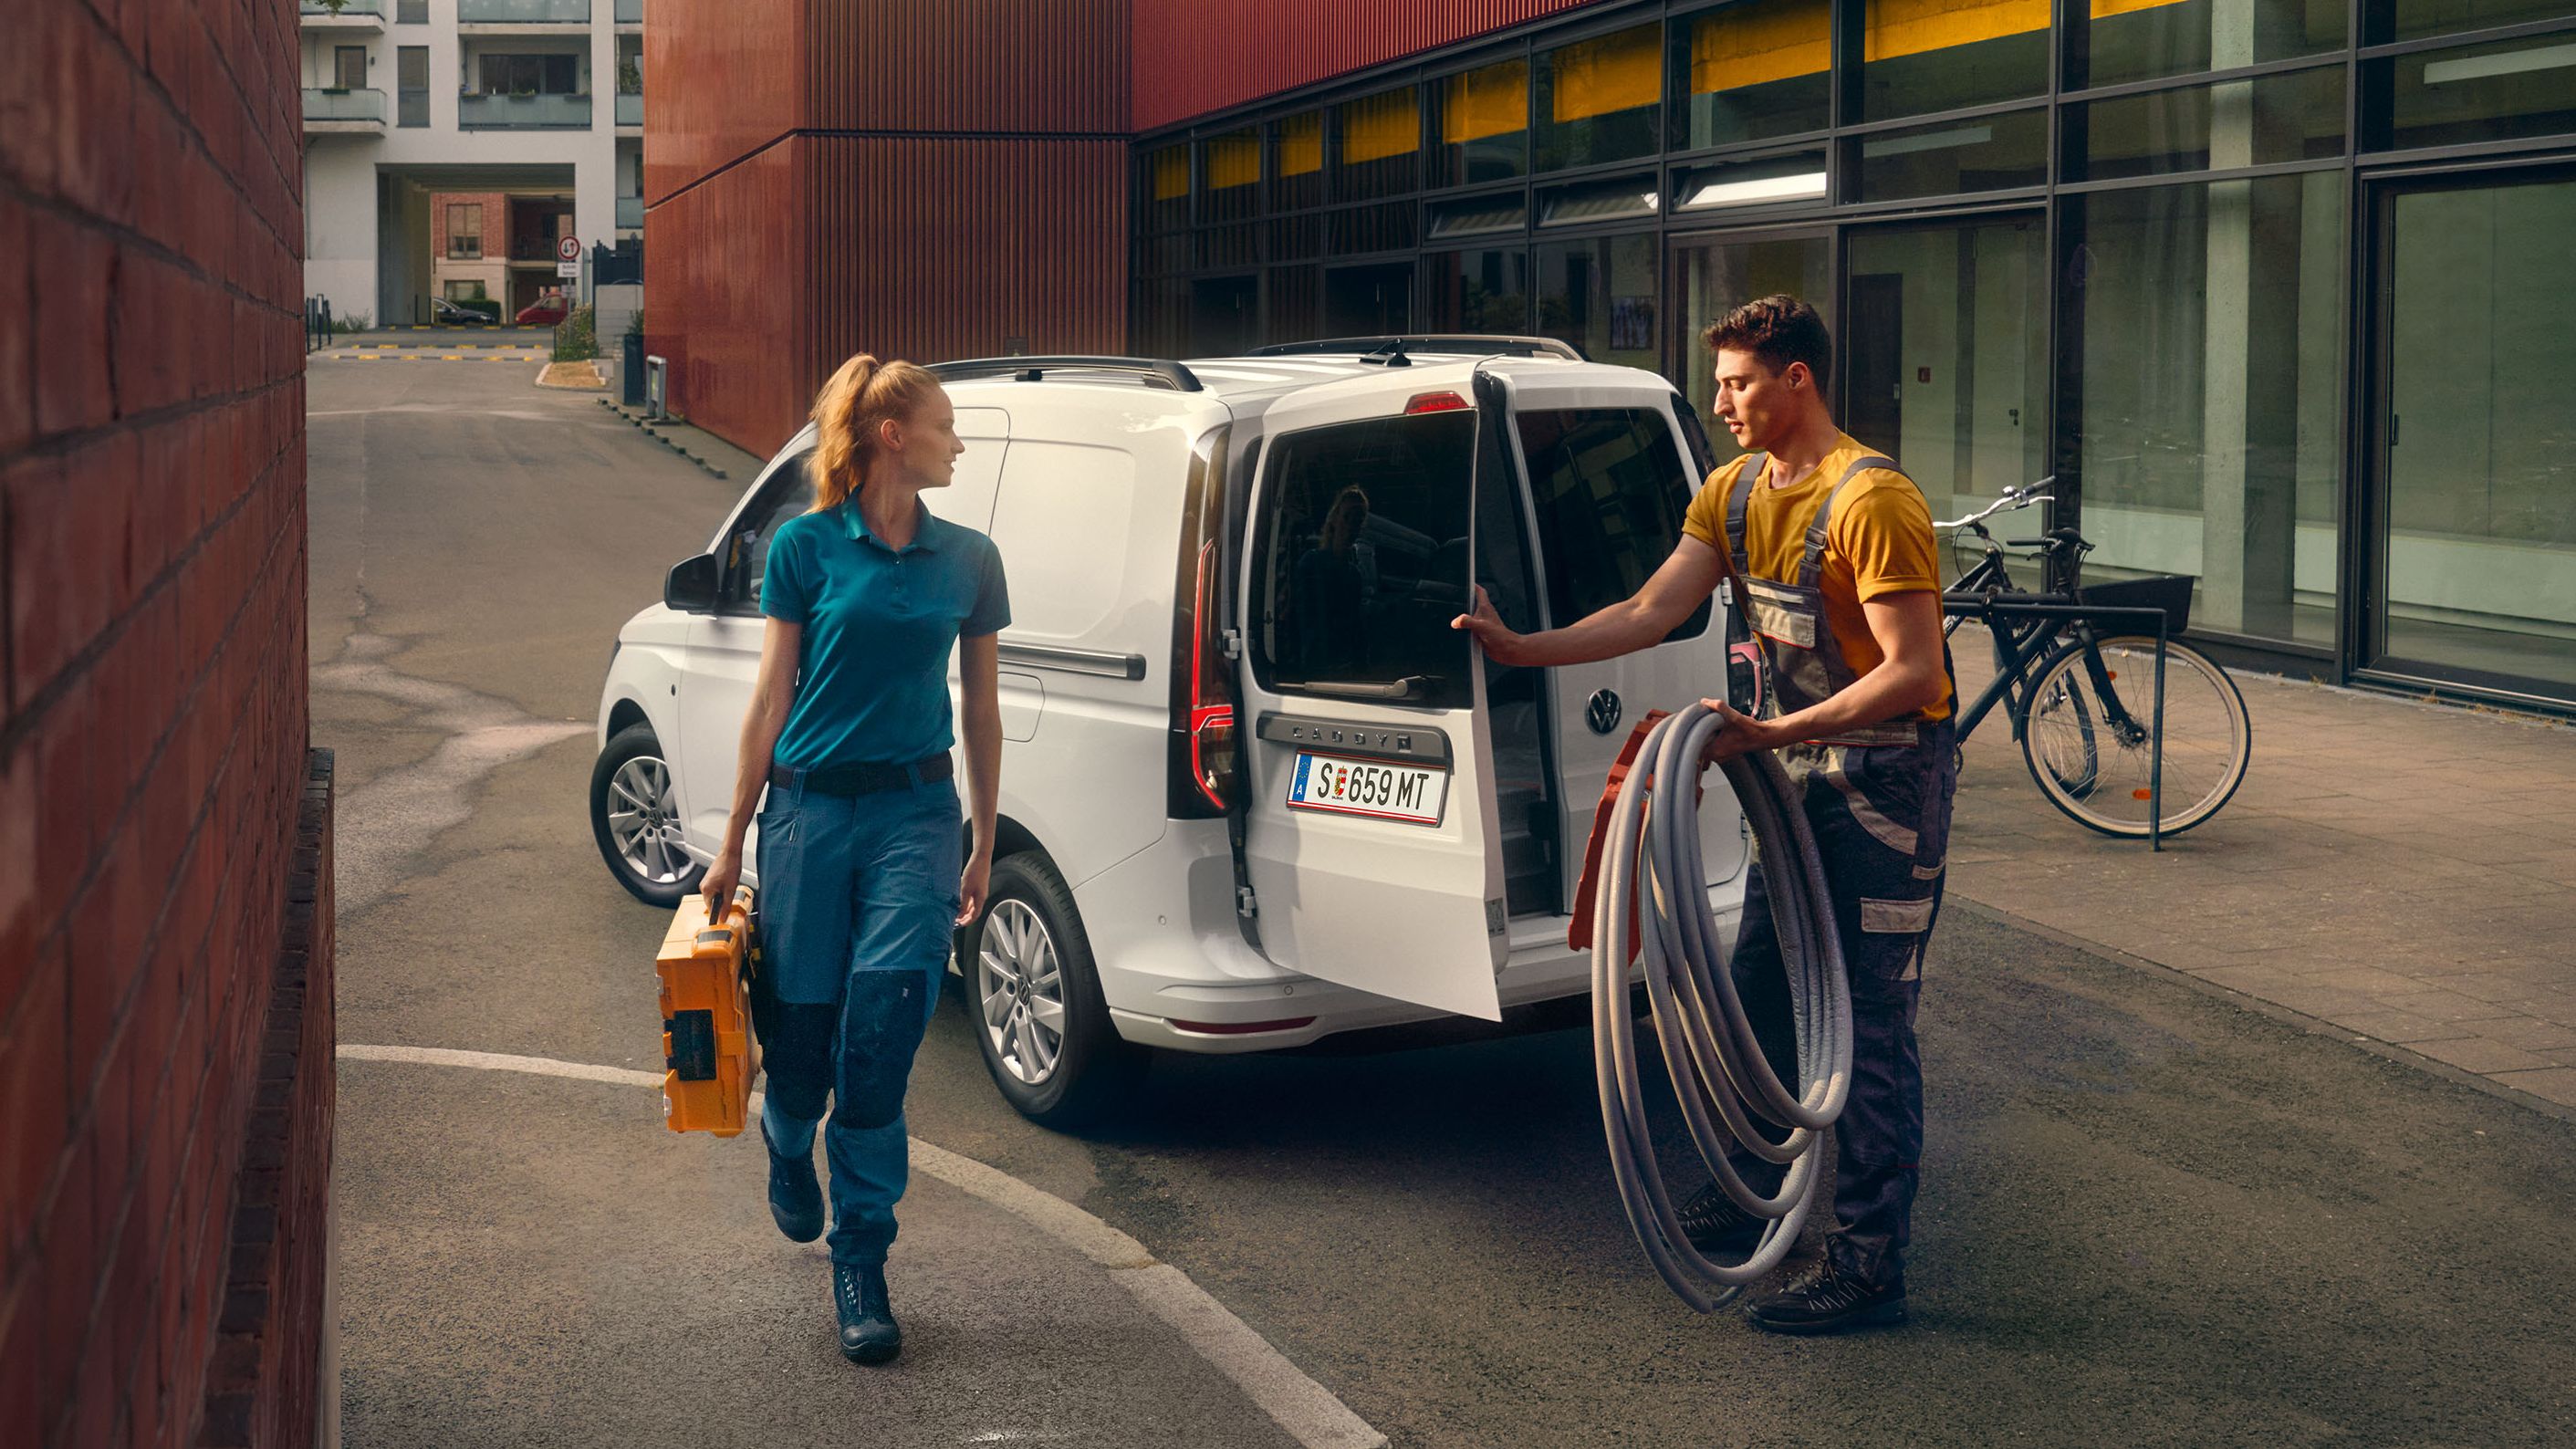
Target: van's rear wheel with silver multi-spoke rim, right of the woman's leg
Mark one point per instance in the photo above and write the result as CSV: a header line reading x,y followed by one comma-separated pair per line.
x,y
1094,1069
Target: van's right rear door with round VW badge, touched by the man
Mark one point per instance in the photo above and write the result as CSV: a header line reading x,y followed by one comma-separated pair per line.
x,y
1611,477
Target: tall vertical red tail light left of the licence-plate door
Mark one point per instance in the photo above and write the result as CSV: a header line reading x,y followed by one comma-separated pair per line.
x,y
1202,771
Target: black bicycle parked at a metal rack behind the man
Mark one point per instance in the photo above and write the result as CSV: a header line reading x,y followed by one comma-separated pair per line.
x,y
2060,678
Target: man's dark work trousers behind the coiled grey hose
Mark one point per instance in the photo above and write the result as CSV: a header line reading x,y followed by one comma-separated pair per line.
x,y
1882,820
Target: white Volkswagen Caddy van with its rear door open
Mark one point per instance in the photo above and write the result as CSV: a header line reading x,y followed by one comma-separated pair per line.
x,y
1256,789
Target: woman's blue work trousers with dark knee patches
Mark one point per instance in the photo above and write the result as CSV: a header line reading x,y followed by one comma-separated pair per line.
x,y
857,907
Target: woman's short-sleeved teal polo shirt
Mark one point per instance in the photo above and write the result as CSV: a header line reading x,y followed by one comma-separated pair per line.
x,y
880,624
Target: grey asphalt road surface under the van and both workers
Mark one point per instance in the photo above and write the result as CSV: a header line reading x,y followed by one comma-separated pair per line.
x,y
2147,1216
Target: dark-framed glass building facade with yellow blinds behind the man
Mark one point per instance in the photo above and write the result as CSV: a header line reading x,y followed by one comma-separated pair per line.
x,y
2284,292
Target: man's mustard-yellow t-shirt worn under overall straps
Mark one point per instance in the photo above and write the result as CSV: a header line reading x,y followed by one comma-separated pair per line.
x,y
1879,542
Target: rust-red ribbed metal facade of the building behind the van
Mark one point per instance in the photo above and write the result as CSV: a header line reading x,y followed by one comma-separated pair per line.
x,y
939,179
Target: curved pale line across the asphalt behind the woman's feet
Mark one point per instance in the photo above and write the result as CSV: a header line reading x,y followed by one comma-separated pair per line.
x,y
1276,1386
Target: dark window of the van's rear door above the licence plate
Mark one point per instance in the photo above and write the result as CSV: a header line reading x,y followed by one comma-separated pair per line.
x,y
1364,560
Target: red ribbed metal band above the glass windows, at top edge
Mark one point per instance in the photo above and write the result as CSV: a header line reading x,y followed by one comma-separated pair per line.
x,y
1207,55
